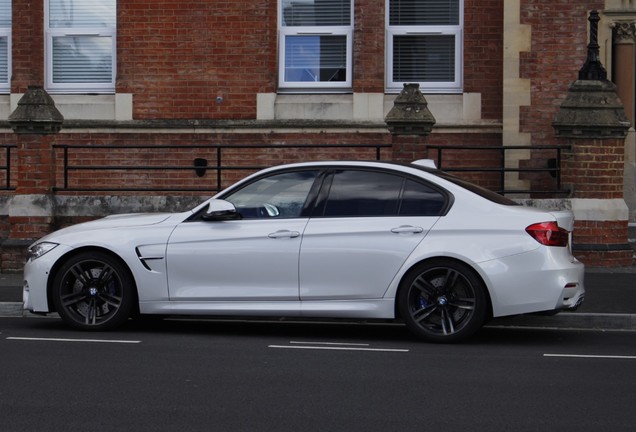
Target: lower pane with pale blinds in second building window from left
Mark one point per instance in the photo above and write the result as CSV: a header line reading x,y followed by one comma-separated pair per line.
x,y
82,59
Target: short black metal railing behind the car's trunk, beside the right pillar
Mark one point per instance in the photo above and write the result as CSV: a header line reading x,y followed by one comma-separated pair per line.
x,y
553,167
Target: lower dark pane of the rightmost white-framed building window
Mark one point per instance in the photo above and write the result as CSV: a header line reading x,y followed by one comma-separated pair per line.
x,y
424,58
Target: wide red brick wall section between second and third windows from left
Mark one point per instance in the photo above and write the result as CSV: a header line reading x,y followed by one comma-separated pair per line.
x,y
177,58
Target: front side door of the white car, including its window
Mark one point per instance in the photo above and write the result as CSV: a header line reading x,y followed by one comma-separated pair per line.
x,y
254,258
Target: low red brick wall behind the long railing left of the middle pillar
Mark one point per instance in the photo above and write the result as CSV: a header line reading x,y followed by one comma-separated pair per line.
x,y
237,156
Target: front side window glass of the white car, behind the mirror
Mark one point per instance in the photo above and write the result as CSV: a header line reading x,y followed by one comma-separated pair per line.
x,y
281,196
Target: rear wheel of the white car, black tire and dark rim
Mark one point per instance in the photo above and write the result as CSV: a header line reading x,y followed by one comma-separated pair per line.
x,y
442,301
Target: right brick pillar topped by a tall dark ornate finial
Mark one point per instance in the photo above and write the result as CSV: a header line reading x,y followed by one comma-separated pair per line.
x,y
592,120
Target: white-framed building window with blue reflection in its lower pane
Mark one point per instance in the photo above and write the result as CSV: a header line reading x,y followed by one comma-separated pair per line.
x,y
315,44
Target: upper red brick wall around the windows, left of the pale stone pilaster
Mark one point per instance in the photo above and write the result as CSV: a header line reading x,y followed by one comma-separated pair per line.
x,y
177,58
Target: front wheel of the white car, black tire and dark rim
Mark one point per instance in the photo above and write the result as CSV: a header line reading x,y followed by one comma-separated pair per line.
x,y
93,291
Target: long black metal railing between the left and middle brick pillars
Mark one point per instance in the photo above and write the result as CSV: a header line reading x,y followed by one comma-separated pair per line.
x,y
199,165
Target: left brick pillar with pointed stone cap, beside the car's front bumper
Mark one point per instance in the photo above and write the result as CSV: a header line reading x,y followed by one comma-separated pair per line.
x,y
35,123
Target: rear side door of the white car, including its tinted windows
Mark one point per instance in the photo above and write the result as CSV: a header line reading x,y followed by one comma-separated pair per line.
x,y
367,225
